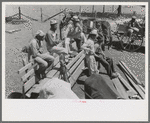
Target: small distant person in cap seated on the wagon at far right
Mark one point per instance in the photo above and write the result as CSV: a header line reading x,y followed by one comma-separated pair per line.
x,y
132,26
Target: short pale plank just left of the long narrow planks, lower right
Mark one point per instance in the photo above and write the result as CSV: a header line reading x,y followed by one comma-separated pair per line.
x,y
125,83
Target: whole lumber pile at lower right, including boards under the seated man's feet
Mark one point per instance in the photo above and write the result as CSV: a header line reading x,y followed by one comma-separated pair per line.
x,y
131,88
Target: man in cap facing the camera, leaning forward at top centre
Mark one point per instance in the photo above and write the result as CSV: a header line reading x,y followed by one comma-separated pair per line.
x,y
74,31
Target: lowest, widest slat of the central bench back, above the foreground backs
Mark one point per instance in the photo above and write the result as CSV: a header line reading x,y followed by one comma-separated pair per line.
x,y
76,74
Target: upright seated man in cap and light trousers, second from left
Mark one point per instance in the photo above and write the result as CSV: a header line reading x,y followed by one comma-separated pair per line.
x,y
52,40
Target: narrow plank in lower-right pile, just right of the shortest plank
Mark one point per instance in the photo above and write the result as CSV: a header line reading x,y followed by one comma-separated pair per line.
x,y
138,90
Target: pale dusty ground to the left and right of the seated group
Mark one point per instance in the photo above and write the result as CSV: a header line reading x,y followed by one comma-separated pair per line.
x,y
15,41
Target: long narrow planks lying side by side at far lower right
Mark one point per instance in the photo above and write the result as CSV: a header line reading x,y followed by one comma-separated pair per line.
x,y
133,83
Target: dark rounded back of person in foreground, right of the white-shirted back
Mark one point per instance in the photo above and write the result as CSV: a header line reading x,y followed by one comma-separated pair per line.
x,y
97,87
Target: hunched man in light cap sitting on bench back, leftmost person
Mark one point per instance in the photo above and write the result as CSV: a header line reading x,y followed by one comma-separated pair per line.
x,y
43,59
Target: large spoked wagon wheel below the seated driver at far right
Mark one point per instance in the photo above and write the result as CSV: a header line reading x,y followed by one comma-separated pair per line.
x,y
134,44
